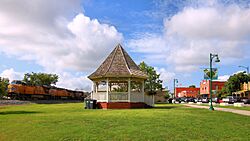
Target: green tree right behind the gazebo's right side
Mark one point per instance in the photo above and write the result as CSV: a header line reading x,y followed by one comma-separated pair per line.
x,y
153,83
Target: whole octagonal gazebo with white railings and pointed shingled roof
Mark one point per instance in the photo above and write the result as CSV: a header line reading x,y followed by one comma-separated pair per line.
x,y
119,83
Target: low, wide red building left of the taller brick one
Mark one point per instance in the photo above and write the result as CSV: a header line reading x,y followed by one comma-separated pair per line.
x,y
186,92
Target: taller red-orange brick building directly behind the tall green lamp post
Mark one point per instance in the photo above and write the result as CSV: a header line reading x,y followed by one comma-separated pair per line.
x,y
205,87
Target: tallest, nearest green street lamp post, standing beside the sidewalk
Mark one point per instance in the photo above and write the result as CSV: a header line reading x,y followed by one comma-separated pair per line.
x,y
211,77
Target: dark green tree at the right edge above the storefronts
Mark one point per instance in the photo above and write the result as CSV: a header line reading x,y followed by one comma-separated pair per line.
x,y
234,82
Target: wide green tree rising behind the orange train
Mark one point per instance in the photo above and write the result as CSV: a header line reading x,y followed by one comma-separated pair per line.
x,y
39,79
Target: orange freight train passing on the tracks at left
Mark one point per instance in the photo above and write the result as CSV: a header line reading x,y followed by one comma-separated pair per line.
x,y
20,90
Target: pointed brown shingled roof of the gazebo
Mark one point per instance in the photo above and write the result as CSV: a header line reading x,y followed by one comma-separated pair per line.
x,y
118,64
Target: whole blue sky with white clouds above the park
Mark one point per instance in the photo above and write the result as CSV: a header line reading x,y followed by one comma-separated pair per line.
x,y
71,38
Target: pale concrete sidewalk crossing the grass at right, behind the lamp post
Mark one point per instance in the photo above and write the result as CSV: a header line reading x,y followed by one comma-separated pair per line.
x,y
241,112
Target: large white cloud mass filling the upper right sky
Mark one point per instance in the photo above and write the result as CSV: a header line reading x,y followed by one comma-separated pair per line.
x,y
191,34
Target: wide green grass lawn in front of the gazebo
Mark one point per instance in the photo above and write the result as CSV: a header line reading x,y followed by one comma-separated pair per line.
x,y
165,122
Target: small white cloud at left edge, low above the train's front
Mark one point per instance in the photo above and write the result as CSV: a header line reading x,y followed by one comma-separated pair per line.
x,y
11,74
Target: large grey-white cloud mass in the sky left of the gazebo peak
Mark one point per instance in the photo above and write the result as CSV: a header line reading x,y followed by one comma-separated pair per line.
x,y
44,32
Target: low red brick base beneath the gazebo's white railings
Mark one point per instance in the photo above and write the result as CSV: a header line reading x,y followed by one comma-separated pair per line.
x,y
121,105
